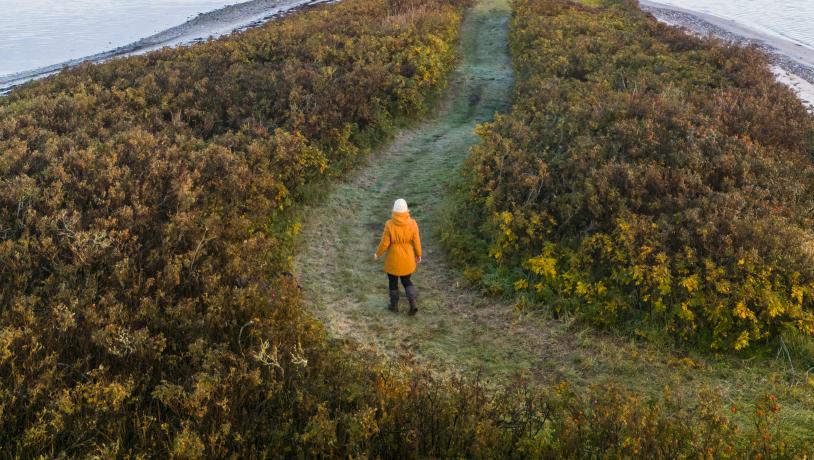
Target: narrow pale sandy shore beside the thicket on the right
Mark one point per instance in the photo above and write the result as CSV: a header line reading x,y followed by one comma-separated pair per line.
x,y
792,63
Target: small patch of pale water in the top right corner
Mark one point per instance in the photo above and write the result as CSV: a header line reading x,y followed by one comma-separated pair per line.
x,y
792,20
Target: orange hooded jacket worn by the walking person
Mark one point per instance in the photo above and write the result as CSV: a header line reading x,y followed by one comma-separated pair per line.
x,y
402,243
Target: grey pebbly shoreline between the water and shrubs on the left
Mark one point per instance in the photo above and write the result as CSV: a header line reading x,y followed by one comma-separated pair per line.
x,y
205,26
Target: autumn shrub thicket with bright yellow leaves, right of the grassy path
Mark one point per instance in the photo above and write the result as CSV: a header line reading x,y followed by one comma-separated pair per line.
x,y
645,175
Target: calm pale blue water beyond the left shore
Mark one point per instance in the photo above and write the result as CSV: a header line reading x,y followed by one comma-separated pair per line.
x,y
38,33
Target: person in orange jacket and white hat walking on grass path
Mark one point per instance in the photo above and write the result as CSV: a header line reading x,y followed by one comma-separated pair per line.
x,y
403,245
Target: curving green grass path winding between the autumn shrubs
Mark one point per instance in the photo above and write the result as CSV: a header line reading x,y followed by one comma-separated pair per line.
x,y
457,330
